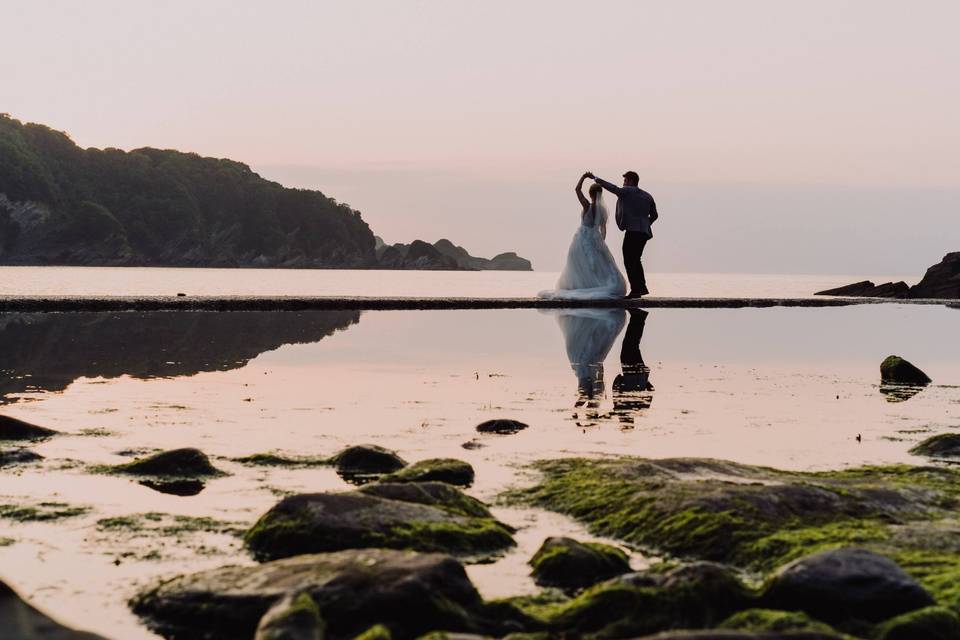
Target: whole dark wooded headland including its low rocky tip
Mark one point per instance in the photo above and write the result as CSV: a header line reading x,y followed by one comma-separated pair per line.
x,y
64,205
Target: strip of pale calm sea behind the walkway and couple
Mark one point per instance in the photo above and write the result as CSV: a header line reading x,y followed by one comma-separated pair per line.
x,y
119,281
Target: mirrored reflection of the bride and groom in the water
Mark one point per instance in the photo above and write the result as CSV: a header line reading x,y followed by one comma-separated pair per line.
x,y
589,335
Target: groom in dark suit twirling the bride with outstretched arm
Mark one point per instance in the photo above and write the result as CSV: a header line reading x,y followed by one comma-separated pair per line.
x,y
636,211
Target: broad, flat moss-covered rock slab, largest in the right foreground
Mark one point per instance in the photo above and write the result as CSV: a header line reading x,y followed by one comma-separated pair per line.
x,y
758,518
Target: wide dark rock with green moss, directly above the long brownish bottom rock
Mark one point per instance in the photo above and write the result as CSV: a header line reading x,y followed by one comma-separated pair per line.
x,y
316,522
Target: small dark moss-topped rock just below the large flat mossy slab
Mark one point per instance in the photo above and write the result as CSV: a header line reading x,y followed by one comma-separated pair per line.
x,y
569,564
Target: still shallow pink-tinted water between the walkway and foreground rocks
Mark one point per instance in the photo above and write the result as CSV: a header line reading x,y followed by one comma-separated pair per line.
x,y
788,388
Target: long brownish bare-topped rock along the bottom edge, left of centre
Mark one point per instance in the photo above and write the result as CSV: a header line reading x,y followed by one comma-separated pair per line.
x,y
409,593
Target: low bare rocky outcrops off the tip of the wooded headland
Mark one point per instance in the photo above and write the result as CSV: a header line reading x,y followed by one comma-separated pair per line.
x,y
443,254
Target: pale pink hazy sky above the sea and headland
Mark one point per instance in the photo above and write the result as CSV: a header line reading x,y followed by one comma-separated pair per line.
x,y
814,136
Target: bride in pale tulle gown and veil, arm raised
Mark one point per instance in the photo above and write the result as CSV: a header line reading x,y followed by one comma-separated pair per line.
x,y
590,272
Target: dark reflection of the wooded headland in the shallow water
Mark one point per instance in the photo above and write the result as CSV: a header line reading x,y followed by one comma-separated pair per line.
x,y
48,351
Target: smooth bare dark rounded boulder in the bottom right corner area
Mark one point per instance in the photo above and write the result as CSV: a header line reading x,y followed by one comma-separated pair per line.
x,y
846,584
